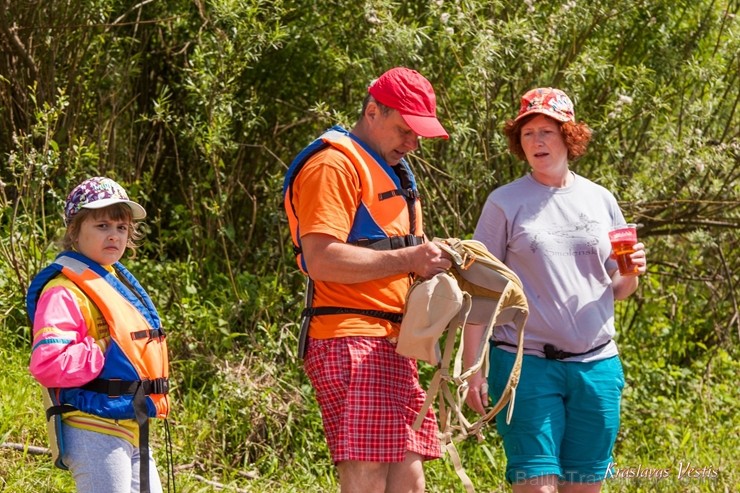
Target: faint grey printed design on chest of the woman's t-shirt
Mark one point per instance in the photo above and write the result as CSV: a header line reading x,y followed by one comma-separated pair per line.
x,y
577,238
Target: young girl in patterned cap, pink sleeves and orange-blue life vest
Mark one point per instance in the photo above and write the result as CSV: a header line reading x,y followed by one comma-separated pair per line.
x,y
98,348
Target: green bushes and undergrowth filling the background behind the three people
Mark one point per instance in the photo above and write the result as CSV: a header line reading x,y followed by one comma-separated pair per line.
x,y
197,108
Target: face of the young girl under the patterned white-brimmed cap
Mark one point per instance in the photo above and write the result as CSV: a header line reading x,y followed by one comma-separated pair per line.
x,y
103,239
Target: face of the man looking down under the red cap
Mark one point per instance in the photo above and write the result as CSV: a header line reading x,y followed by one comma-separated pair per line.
x,y
391,138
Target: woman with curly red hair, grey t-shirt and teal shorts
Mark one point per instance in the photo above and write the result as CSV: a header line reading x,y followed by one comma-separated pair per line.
x,y
550,227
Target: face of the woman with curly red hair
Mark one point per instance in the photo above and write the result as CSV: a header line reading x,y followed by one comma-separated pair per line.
x,y
544,146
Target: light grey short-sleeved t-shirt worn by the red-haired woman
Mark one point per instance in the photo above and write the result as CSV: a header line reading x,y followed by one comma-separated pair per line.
x,y
556,241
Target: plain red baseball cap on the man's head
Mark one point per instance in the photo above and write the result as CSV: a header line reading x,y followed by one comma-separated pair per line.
x,y
412,95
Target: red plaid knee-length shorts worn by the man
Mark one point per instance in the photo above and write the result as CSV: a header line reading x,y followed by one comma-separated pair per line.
x,y
369,398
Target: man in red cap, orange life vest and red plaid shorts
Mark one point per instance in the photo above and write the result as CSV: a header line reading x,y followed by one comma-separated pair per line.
x,y
356,224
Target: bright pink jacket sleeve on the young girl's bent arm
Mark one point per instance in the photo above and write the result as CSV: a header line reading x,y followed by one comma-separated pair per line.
x,y
63,353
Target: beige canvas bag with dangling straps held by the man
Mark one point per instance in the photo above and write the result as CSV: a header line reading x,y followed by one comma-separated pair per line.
x,y
479,289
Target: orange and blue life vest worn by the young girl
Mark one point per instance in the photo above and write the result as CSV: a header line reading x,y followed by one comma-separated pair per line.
x,y
134,382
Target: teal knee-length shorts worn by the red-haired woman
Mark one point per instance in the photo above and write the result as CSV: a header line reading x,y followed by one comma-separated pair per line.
x,y
566,417
